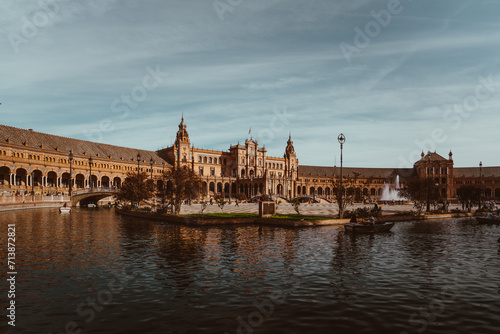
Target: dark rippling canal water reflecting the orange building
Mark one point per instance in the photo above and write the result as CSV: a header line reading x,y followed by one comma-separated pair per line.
x,y
101,273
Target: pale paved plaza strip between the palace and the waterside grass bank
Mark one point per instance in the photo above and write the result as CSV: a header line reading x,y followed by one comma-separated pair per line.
x,y
317,209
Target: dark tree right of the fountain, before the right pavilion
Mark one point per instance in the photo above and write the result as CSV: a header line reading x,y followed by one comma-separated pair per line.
x,y
421,191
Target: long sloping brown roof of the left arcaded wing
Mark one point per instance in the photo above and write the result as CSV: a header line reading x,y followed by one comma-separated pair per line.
x,y
47,142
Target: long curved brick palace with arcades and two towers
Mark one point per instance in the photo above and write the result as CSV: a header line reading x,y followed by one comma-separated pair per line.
x,y
36,162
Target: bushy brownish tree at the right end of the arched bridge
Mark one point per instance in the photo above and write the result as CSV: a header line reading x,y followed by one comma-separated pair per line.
x,y
136,188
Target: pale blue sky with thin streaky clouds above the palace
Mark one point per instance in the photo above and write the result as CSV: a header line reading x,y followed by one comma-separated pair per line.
x,y
395,77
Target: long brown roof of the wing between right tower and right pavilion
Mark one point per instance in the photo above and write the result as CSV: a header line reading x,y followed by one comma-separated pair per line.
x,y
305,171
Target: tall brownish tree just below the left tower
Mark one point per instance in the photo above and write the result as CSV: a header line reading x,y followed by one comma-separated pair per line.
x,y
186,185
